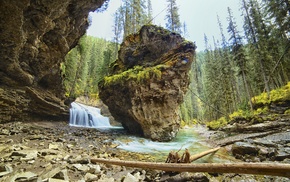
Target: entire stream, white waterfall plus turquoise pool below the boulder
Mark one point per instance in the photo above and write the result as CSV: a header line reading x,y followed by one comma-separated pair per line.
x,y
87,116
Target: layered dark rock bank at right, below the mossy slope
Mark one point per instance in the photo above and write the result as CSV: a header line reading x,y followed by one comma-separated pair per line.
x,y
259,142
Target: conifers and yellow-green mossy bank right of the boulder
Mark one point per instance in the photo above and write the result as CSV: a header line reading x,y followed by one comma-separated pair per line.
x,y
231,72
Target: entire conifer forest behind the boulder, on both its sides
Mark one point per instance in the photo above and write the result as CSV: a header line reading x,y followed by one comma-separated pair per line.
x,y
225,76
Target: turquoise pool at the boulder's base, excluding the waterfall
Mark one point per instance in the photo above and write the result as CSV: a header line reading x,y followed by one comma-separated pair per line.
x,y
186,138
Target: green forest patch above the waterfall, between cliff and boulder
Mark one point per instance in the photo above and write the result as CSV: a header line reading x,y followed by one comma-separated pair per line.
x,y
86,65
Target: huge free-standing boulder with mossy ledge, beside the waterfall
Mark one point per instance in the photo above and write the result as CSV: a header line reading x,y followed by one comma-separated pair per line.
x,y
148,81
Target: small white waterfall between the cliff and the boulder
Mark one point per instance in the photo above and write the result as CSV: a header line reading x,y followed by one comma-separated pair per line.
x,y
87,116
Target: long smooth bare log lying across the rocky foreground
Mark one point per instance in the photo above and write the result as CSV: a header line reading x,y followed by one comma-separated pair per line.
x,y
273,169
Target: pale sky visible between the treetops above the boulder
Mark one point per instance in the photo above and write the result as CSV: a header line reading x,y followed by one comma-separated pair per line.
x,y
200,17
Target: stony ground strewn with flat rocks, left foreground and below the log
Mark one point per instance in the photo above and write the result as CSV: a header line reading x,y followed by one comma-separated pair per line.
x,y
54,151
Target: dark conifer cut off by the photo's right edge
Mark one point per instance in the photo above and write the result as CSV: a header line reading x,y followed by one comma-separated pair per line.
x,y
278,14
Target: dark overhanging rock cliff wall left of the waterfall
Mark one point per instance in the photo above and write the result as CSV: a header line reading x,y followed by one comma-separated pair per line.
x,y
34,38
